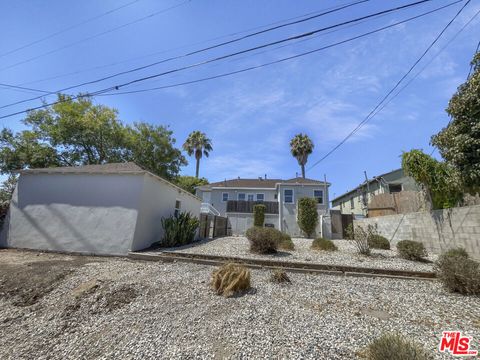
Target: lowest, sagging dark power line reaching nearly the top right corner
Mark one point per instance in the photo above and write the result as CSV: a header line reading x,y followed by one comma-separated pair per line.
x,y
105,93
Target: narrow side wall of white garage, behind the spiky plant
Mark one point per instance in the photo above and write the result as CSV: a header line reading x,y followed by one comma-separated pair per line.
x,y
157,201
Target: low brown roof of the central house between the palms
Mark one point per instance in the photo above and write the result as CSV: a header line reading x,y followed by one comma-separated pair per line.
x,y
259,183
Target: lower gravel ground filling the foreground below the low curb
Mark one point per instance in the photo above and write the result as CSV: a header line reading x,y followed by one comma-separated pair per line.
x,y
121,309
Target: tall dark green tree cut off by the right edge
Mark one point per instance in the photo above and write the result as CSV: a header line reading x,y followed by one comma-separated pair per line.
x,y
459,142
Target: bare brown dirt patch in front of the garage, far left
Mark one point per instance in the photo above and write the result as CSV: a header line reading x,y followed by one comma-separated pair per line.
x,y
25,283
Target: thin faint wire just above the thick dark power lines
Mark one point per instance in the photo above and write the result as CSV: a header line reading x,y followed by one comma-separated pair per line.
x,y
179,47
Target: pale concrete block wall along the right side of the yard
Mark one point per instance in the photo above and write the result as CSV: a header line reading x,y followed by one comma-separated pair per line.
x,y
438,230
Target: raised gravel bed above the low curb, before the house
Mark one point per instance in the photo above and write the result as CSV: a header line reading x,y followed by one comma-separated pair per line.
x,y
346,254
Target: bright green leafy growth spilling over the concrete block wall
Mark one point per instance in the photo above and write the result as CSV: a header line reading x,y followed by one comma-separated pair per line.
x,y
439,180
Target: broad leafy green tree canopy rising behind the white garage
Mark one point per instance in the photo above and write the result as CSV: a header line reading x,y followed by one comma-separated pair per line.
x,y
77,132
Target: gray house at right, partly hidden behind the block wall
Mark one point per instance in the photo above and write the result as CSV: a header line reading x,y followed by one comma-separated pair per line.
x,y
356,200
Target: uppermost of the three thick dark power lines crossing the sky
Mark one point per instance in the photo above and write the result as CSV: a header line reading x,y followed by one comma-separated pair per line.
x,y
328,11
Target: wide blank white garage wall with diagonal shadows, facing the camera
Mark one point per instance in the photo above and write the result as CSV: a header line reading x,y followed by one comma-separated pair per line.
x,y
91,213
